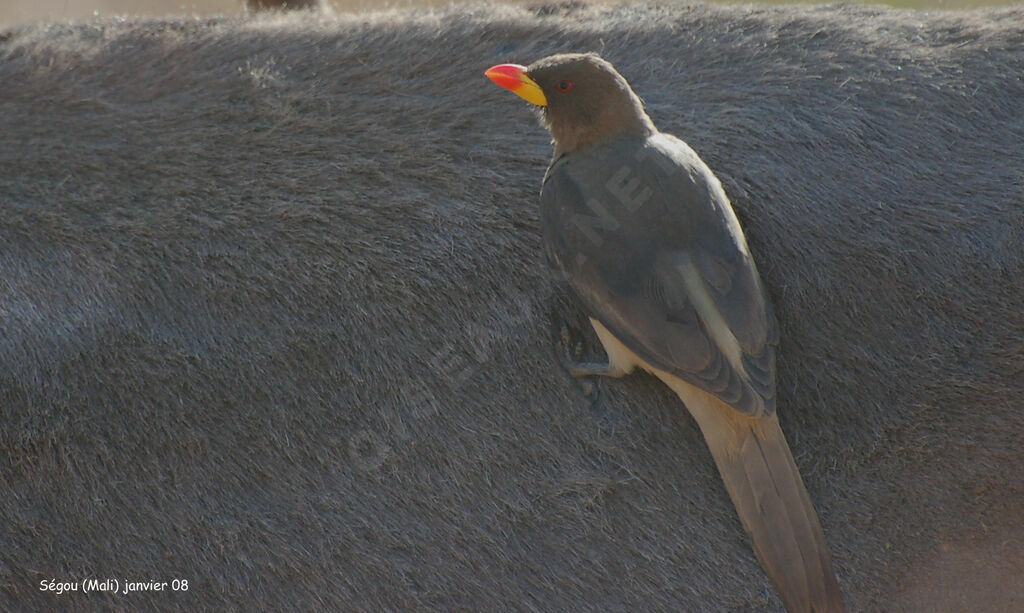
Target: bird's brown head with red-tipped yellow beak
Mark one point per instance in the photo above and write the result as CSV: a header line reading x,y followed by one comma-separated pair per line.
x,y
584,99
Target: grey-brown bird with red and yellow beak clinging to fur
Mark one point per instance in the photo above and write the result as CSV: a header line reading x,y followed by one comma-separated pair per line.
x,y
648,240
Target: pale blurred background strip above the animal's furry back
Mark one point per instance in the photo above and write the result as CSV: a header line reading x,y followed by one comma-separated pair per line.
x,y
18,12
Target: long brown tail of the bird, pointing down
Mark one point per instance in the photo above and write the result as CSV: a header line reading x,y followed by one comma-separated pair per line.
x,y
765,487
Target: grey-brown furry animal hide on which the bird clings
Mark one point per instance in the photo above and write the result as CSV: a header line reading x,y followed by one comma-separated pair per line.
x,y
275,320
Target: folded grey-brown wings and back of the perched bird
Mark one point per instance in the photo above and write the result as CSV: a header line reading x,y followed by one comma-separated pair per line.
x,y
648,240
